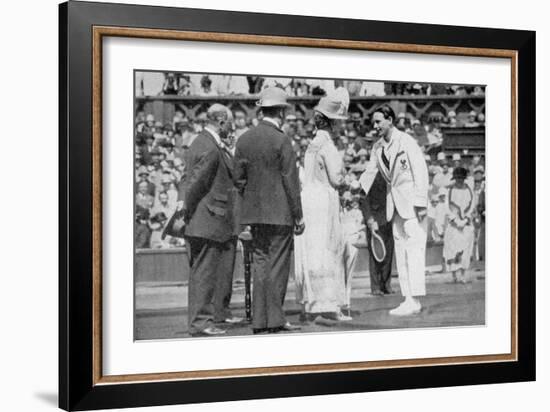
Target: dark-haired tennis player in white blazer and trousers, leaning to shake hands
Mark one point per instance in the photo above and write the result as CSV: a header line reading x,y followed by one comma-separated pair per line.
x,y
400,161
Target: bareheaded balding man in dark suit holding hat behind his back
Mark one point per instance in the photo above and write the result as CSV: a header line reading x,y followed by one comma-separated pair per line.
x,y
206,197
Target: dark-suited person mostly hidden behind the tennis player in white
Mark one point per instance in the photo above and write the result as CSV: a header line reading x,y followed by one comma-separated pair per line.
x,y
373,207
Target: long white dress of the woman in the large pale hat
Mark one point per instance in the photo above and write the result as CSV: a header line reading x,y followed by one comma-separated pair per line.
x,y
323,257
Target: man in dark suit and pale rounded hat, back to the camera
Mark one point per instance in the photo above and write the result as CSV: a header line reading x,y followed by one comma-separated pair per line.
x,y
267,179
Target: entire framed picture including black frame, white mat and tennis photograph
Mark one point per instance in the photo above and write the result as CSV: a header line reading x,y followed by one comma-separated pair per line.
x,y
257,206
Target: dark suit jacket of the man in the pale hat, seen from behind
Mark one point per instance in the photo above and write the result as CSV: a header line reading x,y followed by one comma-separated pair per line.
x,y
267,177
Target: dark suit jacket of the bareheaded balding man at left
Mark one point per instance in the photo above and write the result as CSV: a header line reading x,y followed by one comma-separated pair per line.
x,y
208,191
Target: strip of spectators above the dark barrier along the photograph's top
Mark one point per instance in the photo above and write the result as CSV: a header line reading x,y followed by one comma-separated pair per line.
x,y
184,84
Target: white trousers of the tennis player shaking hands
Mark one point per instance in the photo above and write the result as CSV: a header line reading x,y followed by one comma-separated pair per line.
x,y
410,254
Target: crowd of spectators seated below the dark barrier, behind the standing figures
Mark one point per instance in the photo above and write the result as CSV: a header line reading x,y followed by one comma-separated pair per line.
x,y
160,150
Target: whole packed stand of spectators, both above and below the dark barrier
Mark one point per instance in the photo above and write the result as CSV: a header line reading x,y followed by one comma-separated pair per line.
x,y
161,147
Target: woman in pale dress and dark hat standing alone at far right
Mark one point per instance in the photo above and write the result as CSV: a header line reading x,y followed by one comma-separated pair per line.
x,y
458,241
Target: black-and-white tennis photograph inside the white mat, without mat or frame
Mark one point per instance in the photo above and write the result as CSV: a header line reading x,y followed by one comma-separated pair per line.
x,y
291,205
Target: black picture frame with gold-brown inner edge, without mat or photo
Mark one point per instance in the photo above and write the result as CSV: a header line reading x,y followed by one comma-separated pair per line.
x,y
82,385
